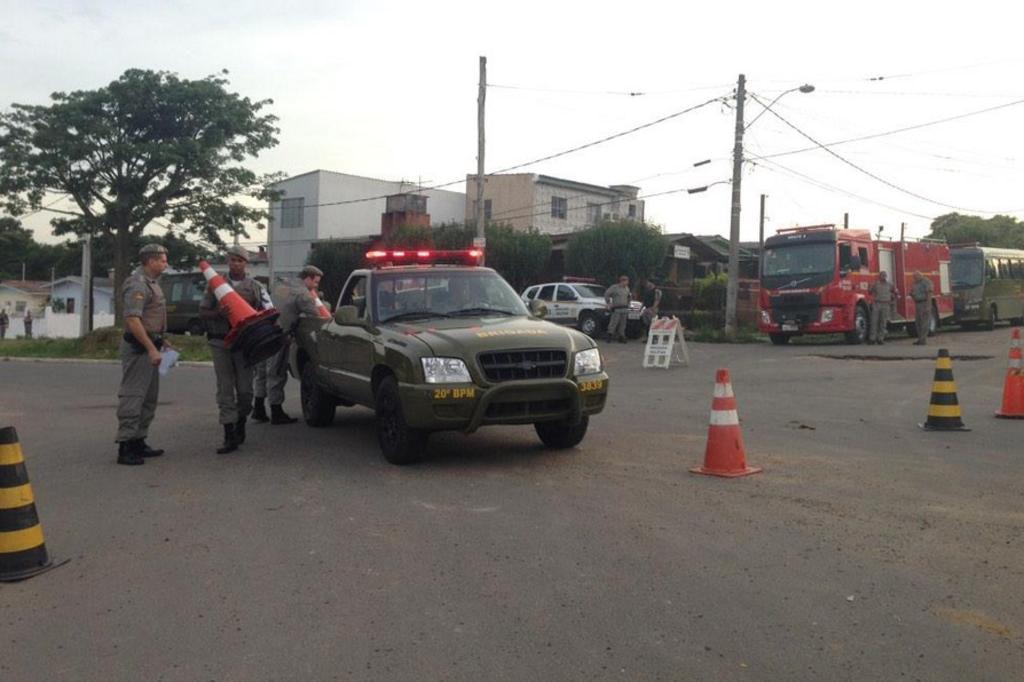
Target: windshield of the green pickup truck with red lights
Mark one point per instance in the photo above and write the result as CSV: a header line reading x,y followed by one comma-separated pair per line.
x,y
443,294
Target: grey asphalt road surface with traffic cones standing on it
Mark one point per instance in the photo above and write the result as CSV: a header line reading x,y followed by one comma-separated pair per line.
x,y
868,549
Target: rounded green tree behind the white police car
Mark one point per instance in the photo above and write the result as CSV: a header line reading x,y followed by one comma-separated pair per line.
x,y
617,247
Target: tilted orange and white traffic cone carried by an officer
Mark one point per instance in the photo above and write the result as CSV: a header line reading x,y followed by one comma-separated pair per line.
x,y
254,334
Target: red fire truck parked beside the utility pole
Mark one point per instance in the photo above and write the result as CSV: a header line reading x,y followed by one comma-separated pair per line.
x,y
816,281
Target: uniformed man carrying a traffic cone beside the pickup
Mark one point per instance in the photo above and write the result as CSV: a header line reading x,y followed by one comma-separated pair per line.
x,y
235,380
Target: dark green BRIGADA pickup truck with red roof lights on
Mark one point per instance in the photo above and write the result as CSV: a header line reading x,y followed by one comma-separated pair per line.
x,y
435,348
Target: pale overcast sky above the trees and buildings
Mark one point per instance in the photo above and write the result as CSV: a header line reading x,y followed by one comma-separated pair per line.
x,y
389,90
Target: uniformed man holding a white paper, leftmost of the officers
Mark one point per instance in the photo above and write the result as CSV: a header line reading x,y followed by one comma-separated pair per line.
x,y
146,321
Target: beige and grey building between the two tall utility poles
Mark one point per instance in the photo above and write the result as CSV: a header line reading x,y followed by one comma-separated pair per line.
x,y
551,205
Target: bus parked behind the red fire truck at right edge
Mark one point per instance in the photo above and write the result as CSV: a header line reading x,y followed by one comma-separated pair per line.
x,y
989,286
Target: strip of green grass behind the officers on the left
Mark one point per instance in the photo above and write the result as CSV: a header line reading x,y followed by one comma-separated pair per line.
x,y
100,345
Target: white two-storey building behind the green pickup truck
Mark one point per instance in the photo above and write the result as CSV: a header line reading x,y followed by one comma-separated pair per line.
x,y
322,206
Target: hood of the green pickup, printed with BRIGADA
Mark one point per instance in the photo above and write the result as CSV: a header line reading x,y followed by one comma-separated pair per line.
x,y
455,338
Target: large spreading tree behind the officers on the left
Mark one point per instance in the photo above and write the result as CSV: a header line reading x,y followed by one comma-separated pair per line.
x,y
148,146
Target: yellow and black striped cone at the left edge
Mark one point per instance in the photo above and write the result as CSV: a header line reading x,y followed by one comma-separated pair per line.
x,y
23,552
